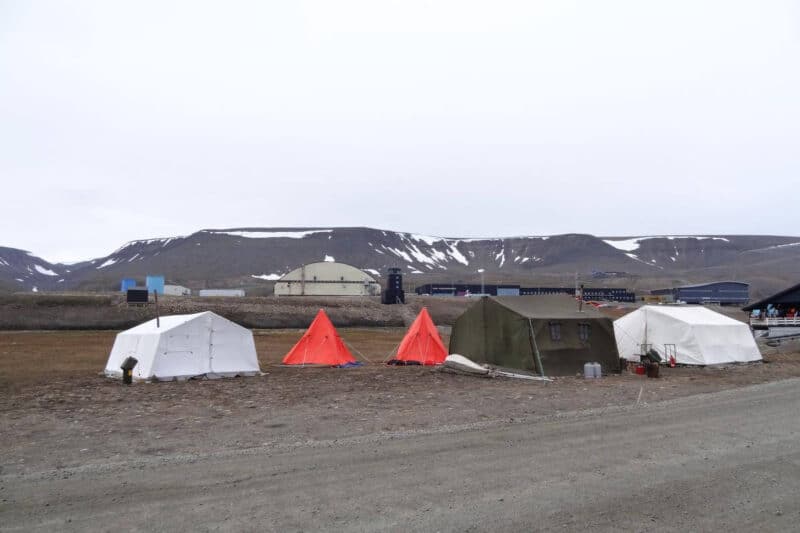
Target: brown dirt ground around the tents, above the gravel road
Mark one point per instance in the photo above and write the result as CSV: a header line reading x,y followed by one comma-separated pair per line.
x,y
57,411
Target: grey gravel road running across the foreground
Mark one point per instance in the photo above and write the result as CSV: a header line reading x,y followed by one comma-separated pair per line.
x,y
727,460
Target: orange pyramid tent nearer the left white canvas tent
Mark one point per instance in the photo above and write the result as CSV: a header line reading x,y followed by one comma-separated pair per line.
x,y
320,345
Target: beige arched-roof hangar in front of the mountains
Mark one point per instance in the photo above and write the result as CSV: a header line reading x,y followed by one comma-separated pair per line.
x,y
327,279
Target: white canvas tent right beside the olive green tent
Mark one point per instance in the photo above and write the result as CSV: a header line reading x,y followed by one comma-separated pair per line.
x,y
700,336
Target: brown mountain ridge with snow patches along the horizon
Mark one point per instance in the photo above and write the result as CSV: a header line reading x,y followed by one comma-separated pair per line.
x,y
241,256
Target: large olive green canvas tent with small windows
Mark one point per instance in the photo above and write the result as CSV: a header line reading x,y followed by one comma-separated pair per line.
x,y
544,334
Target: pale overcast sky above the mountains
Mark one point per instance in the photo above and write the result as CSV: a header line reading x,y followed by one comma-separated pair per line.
x,y
125,120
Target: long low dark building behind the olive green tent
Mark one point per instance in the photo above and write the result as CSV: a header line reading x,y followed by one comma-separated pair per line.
x,y
464,289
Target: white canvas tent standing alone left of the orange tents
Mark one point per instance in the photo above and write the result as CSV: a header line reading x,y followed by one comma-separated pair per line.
x,y
185,346
